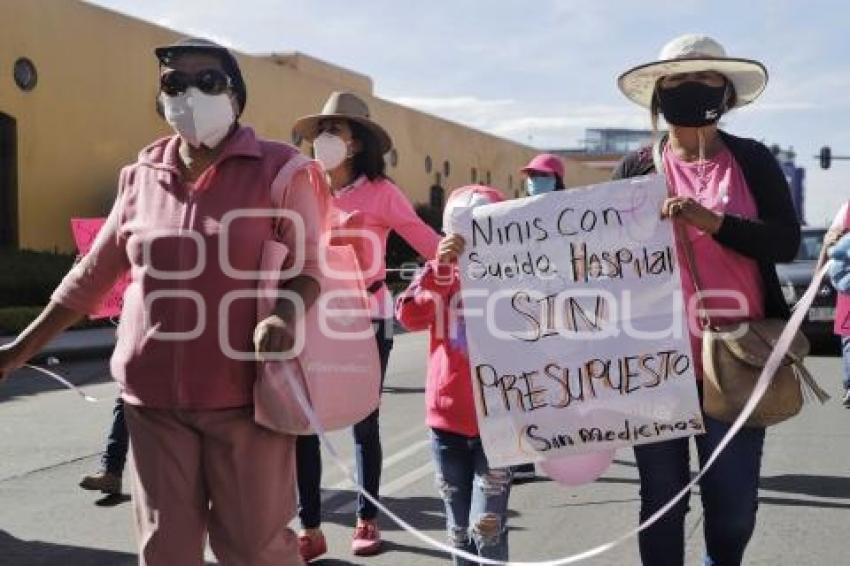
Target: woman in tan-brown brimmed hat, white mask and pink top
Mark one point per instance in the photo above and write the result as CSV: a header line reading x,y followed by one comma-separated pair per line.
x,y
351,147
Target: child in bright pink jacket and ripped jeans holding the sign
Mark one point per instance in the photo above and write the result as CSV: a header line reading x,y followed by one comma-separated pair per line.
x,y
475,495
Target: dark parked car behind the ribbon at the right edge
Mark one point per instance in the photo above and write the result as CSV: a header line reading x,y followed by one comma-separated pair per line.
x,y
795,278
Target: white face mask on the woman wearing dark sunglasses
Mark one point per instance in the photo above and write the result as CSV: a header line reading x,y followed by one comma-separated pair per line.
x,y
200,119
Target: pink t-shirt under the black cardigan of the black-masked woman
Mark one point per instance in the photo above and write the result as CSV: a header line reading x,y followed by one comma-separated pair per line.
x,y
722,270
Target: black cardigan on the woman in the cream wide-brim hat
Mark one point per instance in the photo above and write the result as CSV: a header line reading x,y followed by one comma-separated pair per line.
x,y
773,237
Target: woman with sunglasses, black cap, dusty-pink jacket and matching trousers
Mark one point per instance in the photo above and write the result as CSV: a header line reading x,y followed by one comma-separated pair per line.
x,y
200,463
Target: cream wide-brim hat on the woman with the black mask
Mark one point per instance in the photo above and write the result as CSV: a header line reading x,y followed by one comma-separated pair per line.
x,y
693,53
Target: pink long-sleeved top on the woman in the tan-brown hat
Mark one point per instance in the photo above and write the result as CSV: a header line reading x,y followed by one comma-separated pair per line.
x,y
376,207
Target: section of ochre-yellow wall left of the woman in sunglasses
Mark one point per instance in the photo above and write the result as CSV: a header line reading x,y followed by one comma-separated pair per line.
x,y
92,110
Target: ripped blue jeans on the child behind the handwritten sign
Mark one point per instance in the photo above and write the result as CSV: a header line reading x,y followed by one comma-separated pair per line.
x,y
475,495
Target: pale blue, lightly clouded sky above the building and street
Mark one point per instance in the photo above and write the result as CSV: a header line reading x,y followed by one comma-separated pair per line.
x,y
541,72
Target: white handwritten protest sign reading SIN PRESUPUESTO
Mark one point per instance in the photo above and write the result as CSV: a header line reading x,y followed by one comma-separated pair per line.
x,y
575,322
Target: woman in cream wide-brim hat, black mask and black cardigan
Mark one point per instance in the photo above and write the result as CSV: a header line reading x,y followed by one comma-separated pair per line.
x,y
733,203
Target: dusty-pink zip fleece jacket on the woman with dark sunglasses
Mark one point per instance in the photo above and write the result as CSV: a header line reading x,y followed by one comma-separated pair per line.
x,y
161,225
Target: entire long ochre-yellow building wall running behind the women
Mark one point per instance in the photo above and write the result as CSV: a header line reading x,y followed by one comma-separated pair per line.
x,y
93,109
